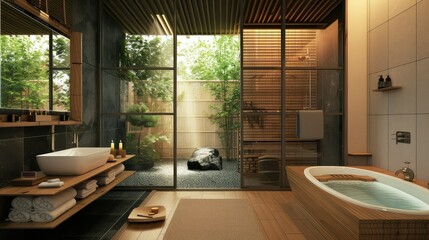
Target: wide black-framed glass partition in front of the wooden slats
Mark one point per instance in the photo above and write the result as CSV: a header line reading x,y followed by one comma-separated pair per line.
x,y
277,86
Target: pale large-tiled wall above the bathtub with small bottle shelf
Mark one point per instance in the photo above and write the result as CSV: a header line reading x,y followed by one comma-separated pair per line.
x,y
398,45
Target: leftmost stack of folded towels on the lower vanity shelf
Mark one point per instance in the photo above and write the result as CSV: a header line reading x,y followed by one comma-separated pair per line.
x,y
21,209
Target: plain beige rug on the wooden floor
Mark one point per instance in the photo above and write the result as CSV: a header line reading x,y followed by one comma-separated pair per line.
x,y
214,219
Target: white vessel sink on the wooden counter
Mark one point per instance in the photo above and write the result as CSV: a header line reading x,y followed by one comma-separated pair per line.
x,y
73,161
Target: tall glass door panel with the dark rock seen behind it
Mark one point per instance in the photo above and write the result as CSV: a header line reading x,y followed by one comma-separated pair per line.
x,y
208,95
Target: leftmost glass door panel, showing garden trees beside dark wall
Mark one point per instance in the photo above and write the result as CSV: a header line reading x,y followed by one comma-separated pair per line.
x,y
140,87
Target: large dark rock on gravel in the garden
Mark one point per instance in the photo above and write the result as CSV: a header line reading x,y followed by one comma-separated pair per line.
x,y
205,159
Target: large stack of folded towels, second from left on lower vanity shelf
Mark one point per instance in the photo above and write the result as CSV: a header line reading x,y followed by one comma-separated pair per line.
x,y
48,208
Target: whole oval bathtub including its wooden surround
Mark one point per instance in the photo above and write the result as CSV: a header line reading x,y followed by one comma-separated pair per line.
x,y
341,216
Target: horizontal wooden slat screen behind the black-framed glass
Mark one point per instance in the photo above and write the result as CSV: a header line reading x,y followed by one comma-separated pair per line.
x,y
262,94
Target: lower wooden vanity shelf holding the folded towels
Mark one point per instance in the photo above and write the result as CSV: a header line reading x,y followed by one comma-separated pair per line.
x,y
80,204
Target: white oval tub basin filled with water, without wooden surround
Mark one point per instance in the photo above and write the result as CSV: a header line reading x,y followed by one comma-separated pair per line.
x,y
387,193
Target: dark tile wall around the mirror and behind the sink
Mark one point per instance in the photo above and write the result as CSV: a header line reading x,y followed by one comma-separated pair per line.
x,y
19,146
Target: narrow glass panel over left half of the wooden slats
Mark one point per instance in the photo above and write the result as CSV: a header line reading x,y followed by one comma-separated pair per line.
x,y
261,108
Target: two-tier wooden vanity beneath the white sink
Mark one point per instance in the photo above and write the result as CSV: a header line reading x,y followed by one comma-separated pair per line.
x,y
9,192
